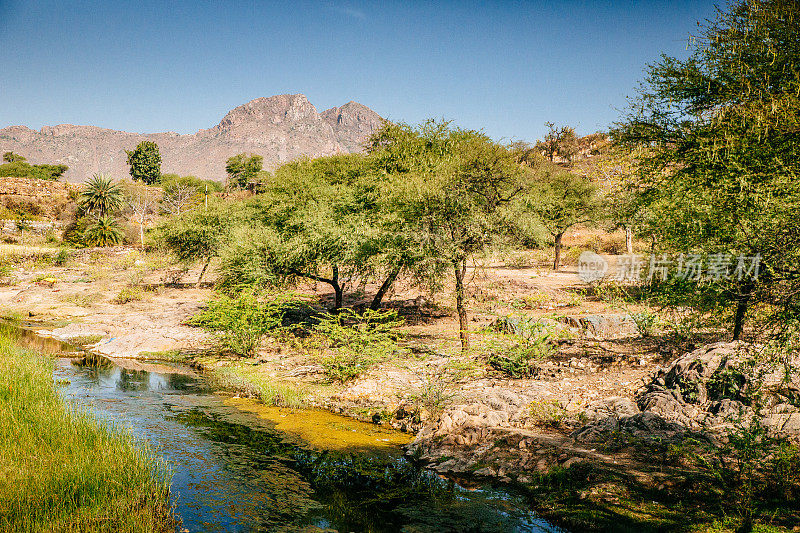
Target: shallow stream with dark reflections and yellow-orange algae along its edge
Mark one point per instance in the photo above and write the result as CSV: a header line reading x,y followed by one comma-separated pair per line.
x,y
240,466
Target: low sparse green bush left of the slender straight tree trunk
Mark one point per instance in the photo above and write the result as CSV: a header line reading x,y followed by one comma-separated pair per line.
x,y
352,343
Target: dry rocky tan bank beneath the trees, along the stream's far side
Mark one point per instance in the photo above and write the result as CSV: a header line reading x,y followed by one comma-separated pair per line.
x,y
470,420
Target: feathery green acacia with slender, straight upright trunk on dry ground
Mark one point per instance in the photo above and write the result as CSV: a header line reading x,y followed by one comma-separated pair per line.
x,y
445,186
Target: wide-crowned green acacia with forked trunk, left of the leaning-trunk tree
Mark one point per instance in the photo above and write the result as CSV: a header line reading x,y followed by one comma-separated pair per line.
x,y
310,223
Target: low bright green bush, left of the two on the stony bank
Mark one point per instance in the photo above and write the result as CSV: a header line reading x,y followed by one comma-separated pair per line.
x,y
241,321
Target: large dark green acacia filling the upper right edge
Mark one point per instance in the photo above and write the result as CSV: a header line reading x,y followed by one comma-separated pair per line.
x,y
721,169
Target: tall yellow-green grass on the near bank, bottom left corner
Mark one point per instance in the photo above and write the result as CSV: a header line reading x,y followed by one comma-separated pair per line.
x,y
60,470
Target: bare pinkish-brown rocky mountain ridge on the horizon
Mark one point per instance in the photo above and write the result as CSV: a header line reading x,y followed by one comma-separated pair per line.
x,y
279,128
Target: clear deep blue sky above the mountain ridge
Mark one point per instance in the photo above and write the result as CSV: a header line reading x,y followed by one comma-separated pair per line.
x,y
504,67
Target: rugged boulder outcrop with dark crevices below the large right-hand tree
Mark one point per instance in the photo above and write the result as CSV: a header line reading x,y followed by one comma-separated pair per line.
x,y
710,390
